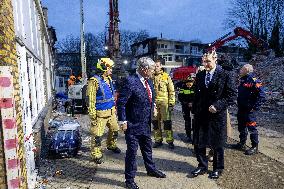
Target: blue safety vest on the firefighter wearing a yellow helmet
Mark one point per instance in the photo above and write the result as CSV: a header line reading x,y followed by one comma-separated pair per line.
x,y
105,95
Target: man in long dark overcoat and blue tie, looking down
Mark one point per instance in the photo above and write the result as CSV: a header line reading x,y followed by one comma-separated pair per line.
x,y
214,91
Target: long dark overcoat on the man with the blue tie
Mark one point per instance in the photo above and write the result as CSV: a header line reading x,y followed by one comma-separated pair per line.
x,y
210,129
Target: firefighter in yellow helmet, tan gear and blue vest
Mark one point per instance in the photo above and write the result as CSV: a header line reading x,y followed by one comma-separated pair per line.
x,y
102,109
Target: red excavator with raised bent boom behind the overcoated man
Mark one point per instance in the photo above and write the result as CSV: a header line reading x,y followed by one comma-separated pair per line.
x,y
182,73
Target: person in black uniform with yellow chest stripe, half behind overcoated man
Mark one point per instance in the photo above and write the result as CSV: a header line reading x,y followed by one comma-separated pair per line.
x,y
186,97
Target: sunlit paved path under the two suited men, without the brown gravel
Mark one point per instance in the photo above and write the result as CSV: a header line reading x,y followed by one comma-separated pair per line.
x,y
81,172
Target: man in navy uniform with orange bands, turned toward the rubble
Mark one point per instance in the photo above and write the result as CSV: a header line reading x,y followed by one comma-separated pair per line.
x,y
250,97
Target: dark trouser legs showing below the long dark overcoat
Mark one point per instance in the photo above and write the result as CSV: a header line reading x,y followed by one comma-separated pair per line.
x,y
218,158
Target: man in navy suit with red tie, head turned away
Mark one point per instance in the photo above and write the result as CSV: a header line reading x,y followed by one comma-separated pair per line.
x,y
134,109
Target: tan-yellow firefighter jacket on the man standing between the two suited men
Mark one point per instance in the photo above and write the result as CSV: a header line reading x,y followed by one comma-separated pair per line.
x,y
164,88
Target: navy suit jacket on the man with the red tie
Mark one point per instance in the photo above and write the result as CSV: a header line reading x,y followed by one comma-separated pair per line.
x,y
133,106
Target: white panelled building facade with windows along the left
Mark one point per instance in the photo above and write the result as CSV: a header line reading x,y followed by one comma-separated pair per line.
x,y
35,60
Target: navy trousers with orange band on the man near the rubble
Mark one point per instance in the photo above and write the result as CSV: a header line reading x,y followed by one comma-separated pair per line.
x,y
247,123
